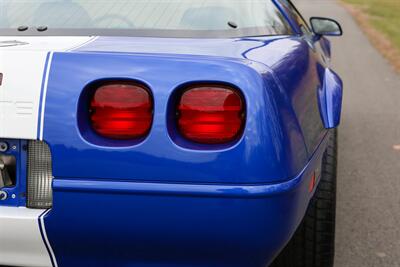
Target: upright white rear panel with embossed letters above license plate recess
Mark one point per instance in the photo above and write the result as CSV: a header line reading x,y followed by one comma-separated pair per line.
x,y
20,92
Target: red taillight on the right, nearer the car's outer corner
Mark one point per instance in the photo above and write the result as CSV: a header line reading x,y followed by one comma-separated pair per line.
x,y
211,114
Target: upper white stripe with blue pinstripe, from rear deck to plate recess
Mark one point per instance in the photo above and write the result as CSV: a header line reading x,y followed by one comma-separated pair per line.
x,y
24,83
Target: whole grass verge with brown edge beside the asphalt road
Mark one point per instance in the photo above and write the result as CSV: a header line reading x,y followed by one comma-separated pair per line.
x,y
380,20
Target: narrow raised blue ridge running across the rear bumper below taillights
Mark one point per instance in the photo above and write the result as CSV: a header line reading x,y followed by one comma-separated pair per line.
x,y
185,189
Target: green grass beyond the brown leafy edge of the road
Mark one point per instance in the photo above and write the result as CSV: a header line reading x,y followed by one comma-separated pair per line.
x,y
384,15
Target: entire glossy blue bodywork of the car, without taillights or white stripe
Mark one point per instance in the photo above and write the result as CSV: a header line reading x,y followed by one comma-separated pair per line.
x,y
166,201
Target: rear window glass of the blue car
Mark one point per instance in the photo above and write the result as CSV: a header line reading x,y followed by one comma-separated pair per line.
x,y
191,17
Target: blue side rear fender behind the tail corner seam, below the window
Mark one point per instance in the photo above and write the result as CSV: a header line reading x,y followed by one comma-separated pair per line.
x,y
300,72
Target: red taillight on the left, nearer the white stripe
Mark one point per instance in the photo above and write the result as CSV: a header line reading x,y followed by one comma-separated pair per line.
x,y
121,111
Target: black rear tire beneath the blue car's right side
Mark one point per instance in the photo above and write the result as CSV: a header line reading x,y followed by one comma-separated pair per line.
x,y
313,244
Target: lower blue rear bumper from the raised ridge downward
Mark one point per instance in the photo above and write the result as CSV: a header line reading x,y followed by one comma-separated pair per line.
x,y
98,223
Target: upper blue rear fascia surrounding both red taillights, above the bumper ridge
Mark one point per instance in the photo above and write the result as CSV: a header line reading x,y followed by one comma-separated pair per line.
x,y
271,148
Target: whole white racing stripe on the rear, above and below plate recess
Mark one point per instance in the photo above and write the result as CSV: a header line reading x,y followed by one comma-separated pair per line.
x,y
25,70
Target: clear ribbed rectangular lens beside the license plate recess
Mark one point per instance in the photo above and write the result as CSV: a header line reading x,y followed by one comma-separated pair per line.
x,y
40,176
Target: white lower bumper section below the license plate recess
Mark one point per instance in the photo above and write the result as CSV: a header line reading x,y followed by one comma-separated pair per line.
x,y
21,243
